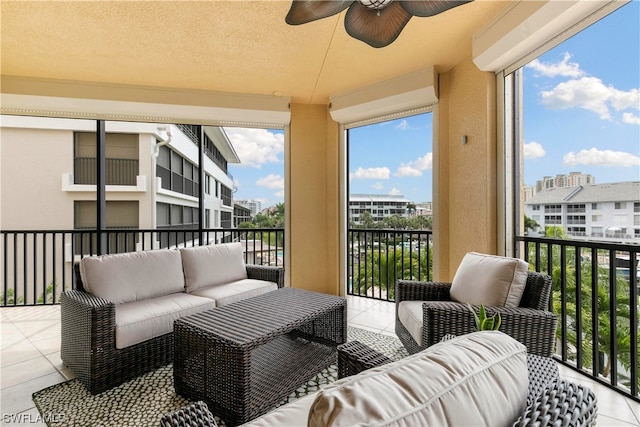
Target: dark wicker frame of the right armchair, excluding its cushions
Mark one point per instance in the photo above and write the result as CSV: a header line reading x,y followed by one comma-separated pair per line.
x,y
531,323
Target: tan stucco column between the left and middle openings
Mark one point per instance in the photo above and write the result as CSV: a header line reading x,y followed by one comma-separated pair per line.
x,y
312,200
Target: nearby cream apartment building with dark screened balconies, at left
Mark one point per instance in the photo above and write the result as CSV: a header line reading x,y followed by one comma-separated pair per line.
x,y
151,175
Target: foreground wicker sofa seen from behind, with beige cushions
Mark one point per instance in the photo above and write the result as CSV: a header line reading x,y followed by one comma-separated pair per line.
x,y
483,379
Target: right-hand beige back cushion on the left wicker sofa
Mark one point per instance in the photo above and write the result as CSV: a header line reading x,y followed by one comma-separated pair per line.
x,y
212,265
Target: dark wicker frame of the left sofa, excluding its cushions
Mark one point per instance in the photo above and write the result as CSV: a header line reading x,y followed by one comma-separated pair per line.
x,y
88,337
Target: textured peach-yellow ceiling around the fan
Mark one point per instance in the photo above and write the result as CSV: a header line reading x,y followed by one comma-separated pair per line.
x,y
228,46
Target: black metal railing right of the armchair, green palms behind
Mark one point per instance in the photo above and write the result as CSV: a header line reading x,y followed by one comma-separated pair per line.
x,y
596,298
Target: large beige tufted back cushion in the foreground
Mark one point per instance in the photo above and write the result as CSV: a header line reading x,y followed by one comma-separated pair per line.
x,y
475,379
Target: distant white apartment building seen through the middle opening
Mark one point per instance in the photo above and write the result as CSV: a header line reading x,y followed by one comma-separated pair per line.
x,y
379,206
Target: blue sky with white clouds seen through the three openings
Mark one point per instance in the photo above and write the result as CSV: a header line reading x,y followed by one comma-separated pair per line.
x,y
581,114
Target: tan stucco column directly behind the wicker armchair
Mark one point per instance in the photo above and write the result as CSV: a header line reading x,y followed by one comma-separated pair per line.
x,y
465,175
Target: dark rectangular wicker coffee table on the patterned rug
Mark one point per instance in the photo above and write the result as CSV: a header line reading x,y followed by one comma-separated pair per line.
x,y
242,359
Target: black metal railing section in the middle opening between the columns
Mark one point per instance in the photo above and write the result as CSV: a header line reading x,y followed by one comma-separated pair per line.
x,y
377,258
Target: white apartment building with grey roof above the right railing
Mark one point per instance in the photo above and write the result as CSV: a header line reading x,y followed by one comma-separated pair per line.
x,y
608,212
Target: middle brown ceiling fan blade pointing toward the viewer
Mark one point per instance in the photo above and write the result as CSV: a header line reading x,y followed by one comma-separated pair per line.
x,y
376,27
